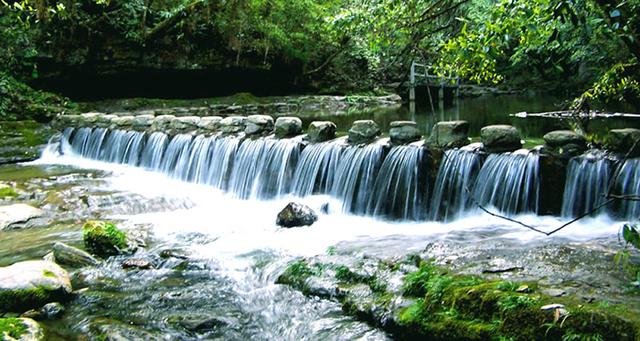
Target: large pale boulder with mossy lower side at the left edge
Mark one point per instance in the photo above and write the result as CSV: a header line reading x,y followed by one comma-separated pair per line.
x,y
32,284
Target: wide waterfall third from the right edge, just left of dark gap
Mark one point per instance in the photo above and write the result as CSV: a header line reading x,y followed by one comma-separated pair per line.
x,y
509,182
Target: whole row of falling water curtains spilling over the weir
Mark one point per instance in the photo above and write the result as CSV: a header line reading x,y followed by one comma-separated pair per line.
x,y
367,180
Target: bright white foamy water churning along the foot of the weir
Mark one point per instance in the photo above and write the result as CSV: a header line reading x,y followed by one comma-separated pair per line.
x,y
241,226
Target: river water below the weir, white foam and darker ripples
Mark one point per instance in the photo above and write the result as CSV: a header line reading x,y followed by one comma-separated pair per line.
x,y
228,251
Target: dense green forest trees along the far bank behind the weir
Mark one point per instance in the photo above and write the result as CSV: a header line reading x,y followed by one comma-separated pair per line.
x,y
587,49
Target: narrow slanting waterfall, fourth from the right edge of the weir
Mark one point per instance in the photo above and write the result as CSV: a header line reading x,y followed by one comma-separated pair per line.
x,y
454,183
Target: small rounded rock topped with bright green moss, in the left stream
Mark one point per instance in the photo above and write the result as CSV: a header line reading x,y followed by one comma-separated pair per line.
x,y
104,239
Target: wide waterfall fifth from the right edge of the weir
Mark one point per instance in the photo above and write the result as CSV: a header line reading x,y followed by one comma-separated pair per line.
x,y
400,189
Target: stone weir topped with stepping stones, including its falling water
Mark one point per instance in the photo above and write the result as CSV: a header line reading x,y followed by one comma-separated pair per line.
x,y
401,177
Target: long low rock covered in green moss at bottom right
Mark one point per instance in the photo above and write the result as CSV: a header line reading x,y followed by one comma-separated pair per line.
x,y
435,304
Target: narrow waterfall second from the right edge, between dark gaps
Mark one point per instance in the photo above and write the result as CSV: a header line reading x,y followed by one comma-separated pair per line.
x,y
586,185
